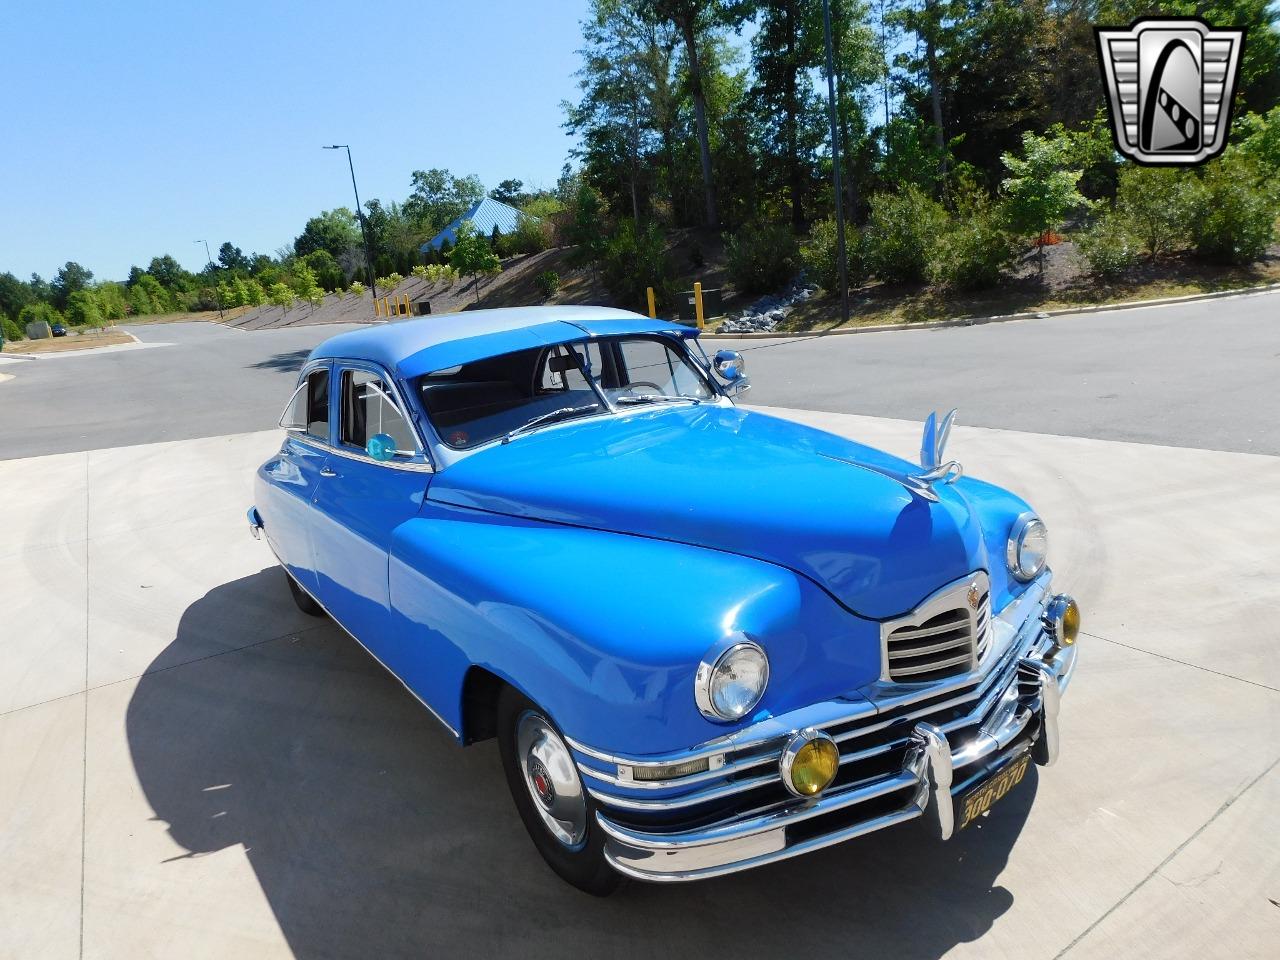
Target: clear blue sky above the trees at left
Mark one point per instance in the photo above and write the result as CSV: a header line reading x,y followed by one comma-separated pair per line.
x,y
139,129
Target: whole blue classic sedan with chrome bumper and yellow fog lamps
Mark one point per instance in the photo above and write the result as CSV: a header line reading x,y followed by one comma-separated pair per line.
x,y
706,639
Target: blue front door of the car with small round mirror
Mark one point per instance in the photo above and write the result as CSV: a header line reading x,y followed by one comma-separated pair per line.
x,y
360,501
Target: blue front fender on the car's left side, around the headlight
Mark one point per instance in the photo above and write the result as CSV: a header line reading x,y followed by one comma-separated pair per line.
x,y
606,630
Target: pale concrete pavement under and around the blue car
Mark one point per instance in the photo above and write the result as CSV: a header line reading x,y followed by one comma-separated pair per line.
x,y
189,767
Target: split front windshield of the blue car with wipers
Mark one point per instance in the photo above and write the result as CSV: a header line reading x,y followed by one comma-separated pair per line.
x,y
527,391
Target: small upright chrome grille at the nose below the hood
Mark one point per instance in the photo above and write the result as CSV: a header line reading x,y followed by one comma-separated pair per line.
x,y
945,637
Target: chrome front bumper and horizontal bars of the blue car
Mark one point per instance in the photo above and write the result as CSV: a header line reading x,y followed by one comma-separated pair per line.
x,y
906,753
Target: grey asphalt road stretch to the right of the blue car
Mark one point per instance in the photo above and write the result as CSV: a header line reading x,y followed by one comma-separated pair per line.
x,y
1204,374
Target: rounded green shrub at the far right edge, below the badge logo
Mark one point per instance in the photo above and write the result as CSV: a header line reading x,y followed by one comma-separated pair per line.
x,y
1237,212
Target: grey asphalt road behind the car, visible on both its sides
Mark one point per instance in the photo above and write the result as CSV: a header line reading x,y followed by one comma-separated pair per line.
x,y
1204,374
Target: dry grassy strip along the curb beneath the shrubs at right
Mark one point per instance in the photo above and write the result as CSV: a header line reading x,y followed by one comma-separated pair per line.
x,y
1177,277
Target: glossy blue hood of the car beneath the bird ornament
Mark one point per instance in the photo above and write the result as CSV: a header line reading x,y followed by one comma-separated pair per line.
x,y
735,481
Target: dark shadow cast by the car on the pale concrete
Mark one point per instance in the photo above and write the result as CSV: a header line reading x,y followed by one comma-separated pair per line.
x,y
372,834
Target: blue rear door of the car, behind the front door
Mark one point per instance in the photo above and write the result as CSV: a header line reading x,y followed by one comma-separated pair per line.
x,y
291,477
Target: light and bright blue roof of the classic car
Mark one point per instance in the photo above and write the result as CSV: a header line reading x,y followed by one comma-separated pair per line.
x,y
437,342
